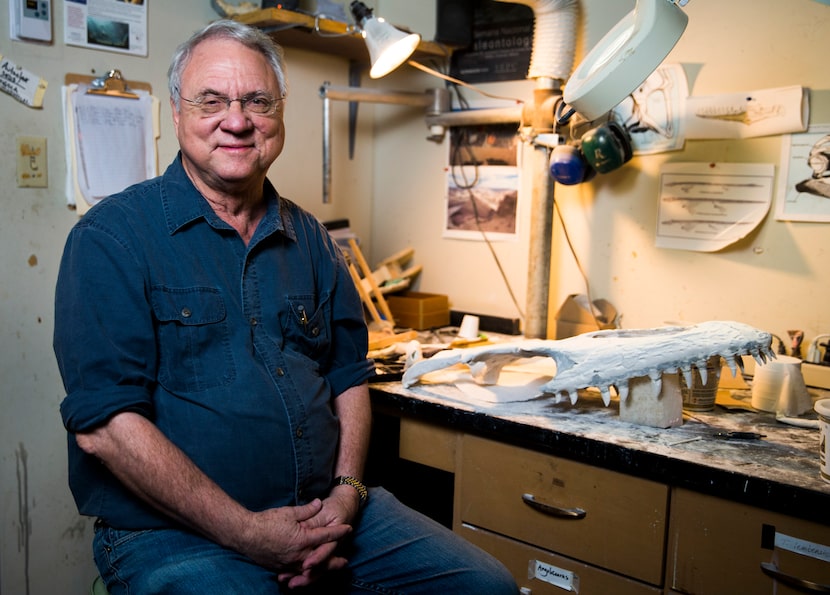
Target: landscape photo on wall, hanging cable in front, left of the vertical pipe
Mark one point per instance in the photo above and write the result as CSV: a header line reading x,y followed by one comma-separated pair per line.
x,y
482,183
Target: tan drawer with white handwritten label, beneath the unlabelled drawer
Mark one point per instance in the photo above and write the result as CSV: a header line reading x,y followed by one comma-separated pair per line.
x,y
544,573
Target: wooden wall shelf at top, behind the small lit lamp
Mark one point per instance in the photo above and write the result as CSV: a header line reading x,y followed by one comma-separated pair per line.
x,y
299,30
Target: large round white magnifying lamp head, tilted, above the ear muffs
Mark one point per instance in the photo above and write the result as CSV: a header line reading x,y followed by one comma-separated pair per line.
x,y
625,57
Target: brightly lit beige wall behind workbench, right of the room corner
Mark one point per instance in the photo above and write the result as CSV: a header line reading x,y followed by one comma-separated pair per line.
x,y
777,278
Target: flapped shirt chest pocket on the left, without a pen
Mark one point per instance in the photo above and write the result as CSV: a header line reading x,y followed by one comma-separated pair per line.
x,y
193,339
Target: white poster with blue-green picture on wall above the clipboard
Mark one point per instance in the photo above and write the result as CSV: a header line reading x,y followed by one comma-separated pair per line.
x,y
111,25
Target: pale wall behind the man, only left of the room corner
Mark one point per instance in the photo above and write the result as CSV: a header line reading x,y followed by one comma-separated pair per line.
x,y
44,544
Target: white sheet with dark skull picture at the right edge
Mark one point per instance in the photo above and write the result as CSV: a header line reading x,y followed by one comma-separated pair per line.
x,y
804,194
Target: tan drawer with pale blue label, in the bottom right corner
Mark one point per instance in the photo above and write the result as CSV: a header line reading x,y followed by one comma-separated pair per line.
x,y
717,547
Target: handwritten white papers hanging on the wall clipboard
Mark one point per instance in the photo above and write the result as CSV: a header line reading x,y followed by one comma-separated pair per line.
x,y
110,141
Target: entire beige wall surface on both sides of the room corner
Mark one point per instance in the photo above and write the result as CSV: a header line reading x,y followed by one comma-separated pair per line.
x,y
392,192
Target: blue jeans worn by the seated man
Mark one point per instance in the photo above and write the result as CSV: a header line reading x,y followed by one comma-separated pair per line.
x,y
393,550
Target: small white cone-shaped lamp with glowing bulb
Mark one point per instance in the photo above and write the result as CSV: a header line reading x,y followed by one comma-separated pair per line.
x,y
388,46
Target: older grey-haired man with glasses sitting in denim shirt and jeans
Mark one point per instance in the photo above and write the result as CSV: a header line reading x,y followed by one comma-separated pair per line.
x,y
213,350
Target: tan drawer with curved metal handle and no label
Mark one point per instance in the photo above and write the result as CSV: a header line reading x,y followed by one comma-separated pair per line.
x,y
623,527
